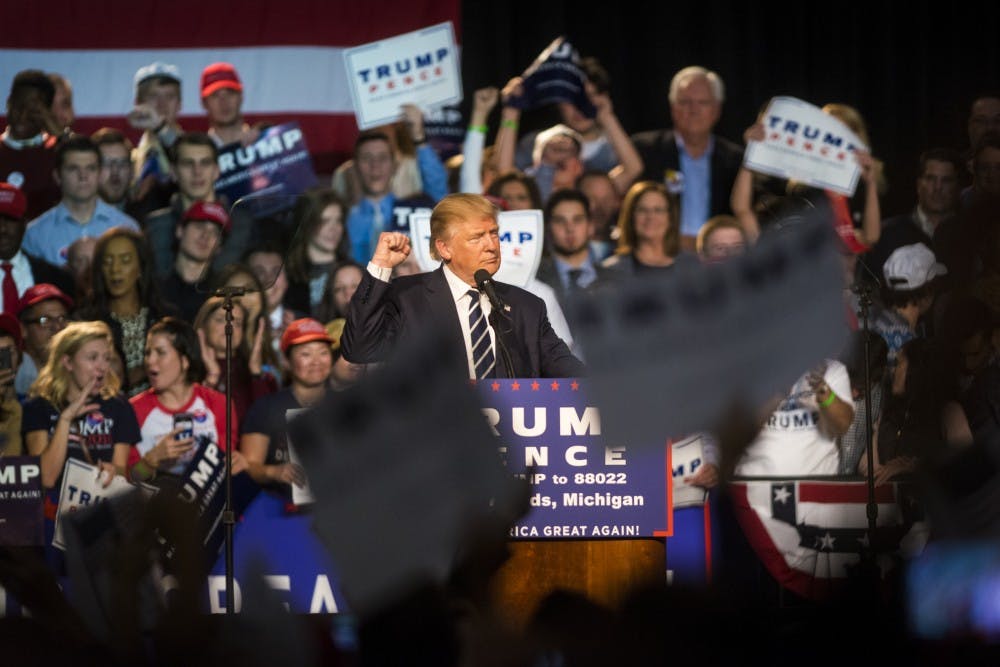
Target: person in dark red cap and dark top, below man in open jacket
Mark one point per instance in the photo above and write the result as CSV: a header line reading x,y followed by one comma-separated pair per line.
x,y
200,234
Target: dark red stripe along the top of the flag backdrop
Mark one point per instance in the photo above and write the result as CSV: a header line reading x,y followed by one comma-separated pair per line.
x,y
115,24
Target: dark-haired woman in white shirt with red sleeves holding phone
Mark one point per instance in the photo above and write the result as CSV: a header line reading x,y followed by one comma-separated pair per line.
x,y
177,415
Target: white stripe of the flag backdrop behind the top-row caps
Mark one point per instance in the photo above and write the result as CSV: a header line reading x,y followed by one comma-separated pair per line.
x,y
307,79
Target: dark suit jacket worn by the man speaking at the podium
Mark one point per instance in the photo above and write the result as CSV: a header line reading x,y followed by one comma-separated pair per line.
x,y
383,315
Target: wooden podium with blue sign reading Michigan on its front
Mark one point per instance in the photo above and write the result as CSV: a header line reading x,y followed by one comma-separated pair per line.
x,y
600,511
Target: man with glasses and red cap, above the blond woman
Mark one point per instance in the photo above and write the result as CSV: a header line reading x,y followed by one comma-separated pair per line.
x,y
44,313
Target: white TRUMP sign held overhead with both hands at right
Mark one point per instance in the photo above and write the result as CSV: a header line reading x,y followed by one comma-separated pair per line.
x,y
806,145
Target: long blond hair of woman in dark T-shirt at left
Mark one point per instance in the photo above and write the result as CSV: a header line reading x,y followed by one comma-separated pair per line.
x,y
54,379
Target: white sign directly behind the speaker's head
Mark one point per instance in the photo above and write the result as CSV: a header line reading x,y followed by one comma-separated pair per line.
x,y
521,237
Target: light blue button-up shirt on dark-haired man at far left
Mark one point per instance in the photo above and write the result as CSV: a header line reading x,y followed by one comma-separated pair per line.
x,y
50,235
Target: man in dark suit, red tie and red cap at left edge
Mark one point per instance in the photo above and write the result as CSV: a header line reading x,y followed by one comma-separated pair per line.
x,y
18,270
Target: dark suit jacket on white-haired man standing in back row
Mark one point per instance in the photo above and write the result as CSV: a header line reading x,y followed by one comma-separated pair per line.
x,y
658,149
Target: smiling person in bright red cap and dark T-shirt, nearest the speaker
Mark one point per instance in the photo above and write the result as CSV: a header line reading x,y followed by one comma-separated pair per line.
x,y
264,441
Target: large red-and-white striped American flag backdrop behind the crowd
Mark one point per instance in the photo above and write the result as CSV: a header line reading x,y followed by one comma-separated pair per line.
x,y
288,54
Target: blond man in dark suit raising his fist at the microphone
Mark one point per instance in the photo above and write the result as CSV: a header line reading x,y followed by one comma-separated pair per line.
x,y
465,237
